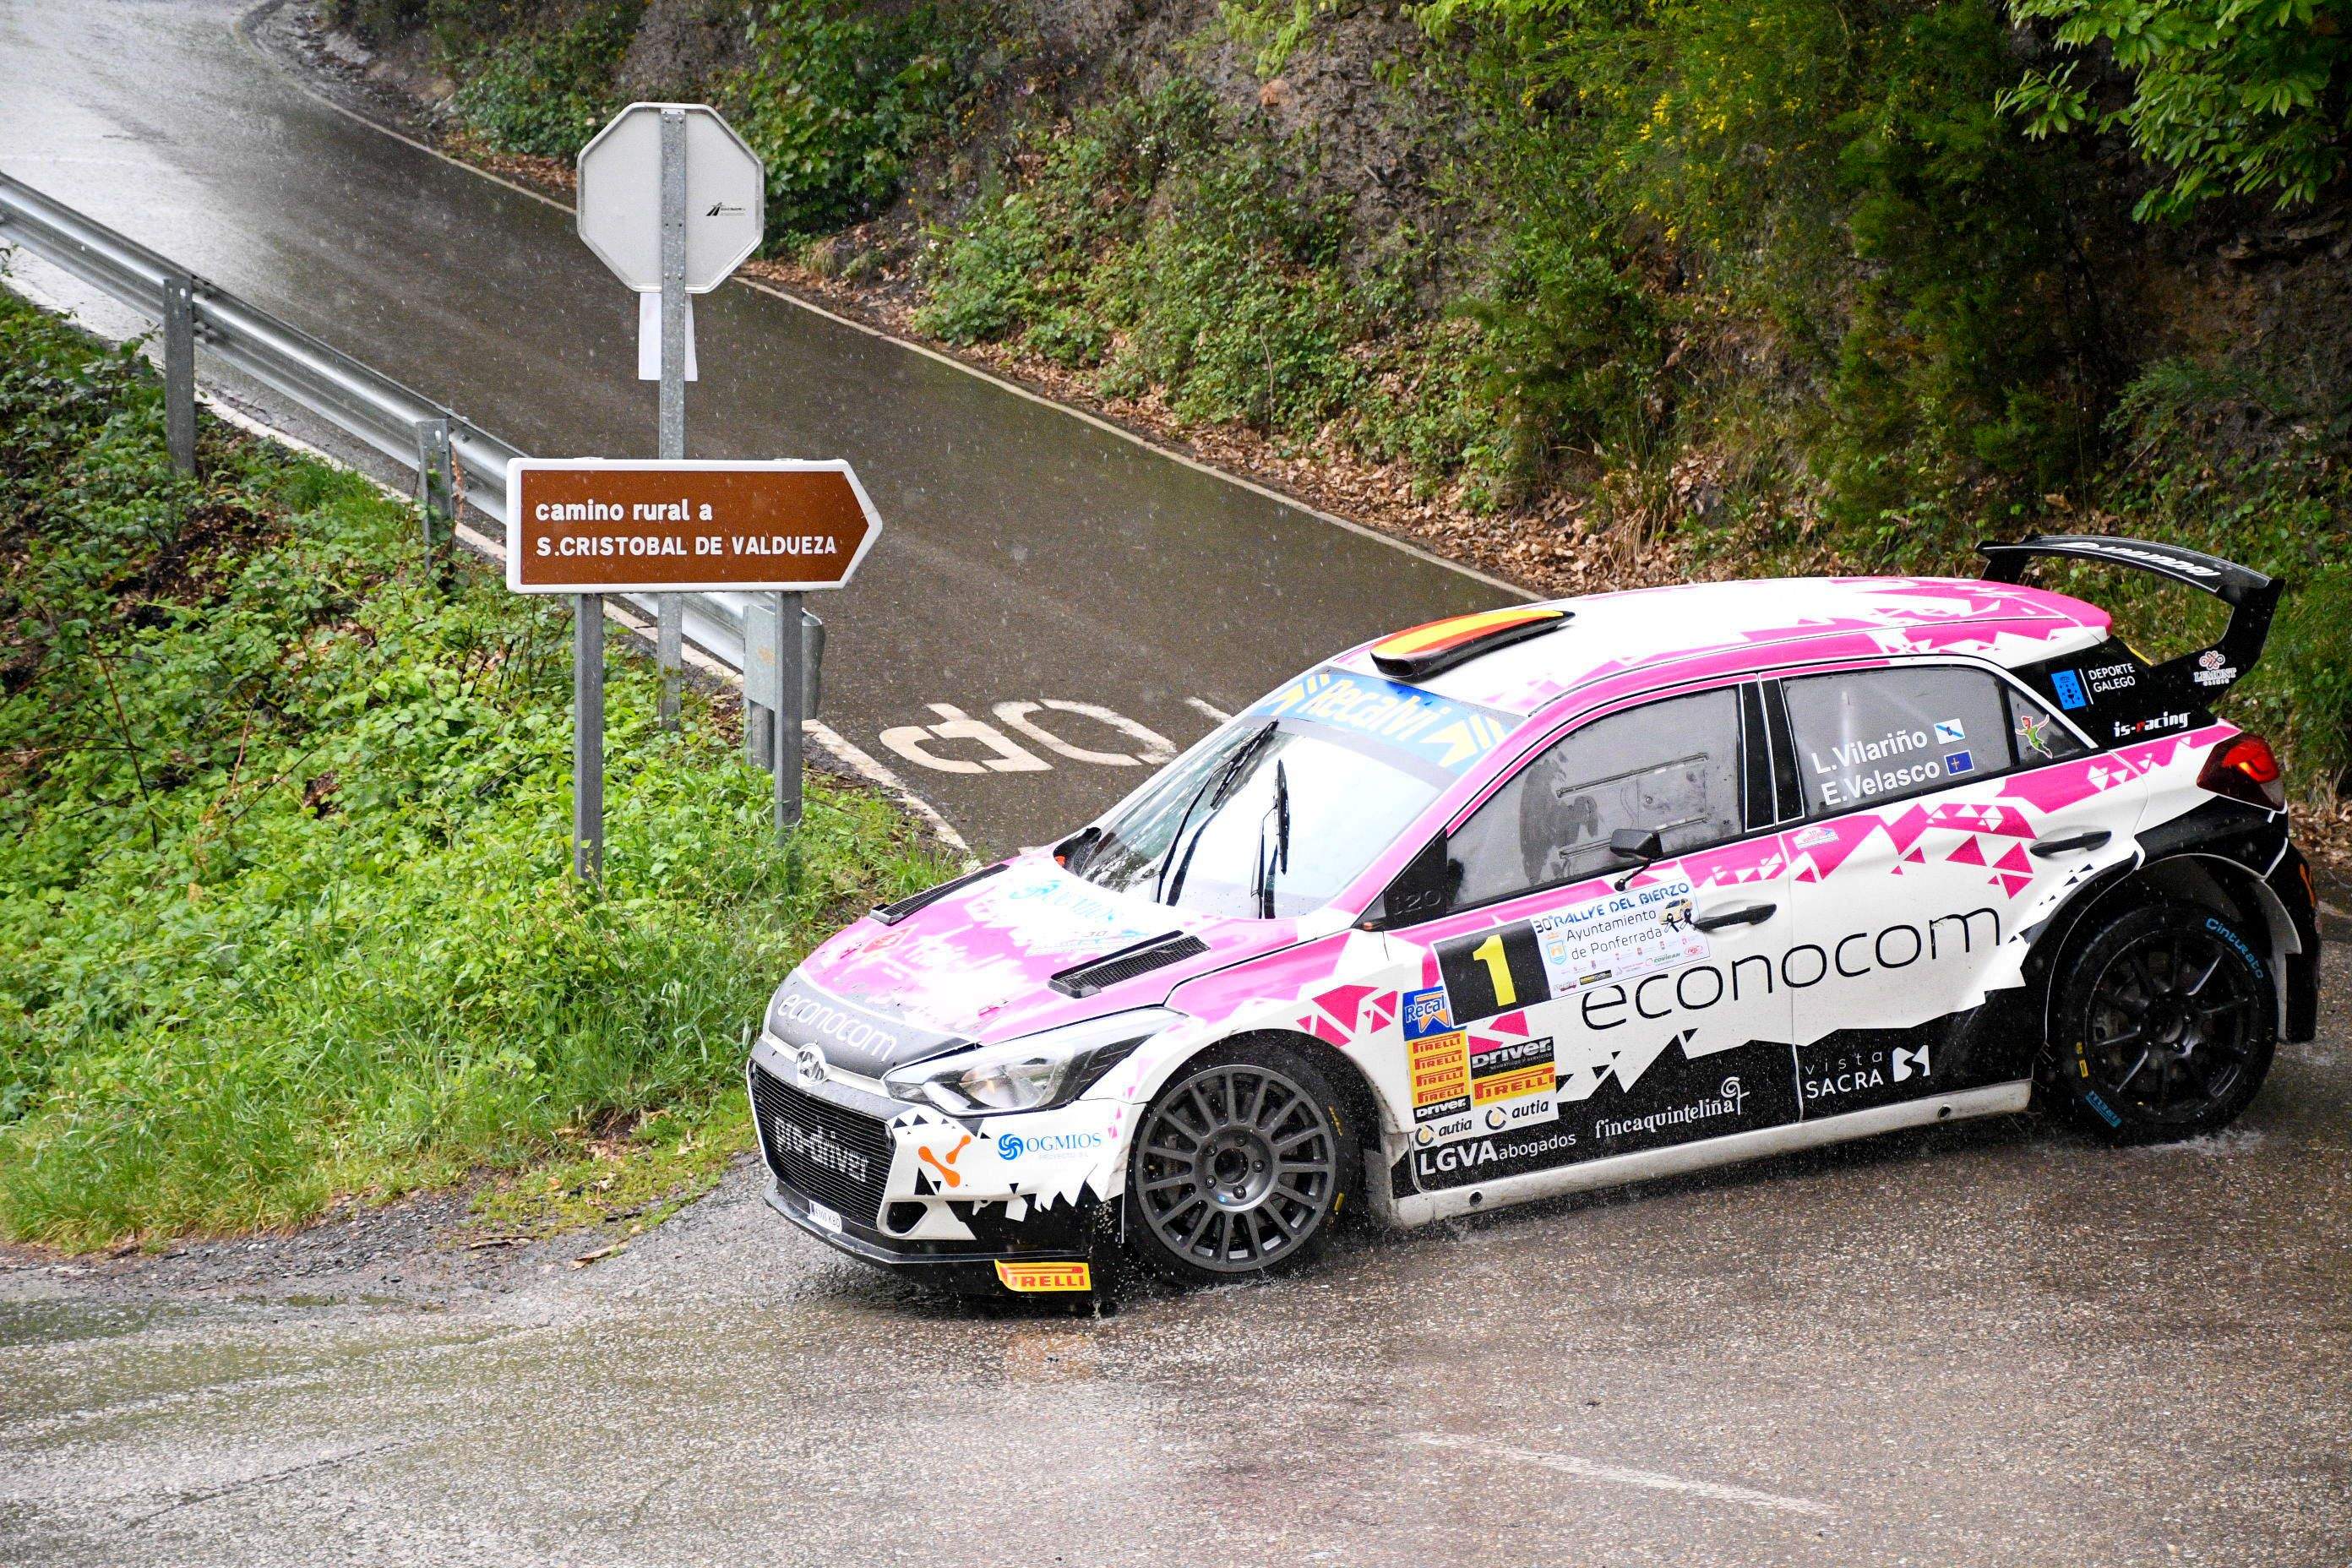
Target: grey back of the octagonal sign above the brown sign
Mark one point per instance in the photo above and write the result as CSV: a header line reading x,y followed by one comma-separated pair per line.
x,y
620,206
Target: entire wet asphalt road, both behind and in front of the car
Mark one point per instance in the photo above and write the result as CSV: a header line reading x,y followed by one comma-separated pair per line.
x,y
1975,1346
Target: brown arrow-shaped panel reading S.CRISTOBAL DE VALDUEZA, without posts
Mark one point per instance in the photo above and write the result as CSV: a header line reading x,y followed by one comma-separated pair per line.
x,y
620,525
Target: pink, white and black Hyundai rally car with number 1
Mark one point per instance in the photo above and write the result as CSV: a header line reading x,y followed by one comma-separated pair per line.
x,y
1561,897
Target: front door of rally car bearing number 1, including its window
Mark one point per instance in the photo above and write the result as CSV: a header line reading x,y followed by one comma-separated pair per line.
x,y
1577,1019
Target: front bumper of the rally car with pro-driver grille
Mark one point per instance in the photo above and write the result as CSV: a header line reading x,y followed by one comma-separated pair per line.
x,y
846,1165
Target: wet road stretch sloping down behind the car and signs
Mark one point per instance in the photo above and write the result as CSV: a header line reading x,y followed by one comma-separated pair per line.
x,y
1029,558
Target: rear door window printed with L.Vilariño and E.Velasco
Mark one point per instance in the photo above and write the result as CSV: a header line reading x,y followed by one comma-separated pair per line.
x,y
1880,735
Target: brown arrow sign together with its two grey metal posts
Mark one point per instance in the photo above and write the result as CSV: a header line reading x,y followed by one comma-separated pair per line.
x,y
629,525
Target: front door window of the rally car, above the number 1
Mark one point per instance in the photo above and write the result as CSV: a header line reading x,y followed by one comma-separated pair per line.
x,y
1671,768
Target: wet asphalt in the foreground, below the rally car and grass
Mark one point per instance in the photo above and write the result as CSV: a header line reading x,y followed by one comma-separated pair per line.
x,y
1989,1343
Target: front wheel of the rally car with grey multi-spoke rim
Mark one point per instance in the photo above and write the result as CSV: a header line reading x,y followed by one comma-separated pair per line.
x,y
1241,1167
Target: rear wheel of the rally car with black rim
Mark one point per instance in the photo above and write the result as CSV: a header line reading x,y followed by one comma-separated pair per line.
x,y
2163,1024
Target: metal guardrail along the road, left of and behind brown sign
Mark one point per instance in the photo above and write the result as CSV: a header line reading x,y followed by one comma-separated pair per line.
x,y
321,380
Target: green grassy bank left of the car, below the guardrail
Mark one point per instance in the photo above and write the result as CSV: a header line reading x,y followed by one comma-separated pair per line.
x,y
283,855
